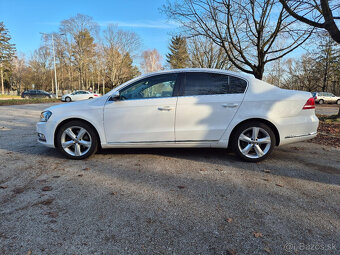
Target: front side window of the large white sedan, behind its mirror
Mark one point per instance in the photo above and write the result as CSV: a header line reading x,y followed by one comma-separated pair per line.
x,y
153,87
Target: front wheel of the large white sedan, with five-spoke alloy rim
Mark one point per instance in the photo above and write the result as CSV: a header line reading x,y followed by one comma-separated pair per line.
x,y
77,147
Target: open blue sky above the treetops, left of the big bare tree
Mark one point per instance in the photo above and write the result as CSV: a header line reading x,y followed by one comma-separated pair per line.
x,y
25,19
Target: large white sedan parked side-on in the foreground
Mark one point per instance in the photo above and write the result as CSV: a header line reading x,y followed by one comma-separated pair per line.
x,y
183,108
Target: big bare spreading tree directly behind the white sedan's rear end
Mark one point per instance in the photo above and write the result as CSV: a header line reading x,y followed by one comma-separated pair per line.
x,y
247,30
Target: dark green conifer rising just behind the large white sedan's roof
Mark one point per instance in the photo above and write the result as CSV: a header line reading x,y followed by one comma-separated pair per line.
x,y
178,56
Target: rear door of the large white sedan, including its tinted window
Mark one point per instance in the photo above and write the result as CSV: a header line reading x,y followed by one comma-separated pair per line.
x,y
206,105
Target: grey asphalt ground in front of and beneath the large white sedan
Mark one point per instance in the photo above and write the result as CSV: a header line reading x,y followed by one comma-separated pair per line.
x,y
163,201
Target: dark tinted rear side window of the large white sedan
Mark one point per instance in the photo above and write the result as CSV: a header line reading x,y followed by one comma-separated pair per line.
x,y
212,84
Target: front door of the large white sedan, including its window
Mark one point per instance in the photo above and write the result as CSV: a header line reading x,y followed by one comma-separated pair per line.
x,y
145,112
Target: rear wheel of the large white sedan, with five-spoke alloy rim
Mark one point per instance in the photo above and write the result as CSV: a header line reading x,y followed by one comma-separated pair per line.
x,y
246,144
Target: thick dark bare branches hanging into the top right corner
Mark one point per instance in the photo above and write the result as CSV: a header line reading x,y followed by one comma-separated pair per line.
x,y
318,14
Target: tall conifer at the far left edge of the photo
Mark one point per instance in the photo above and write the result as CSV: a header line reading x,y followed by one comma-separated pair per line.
x,y
7,51
